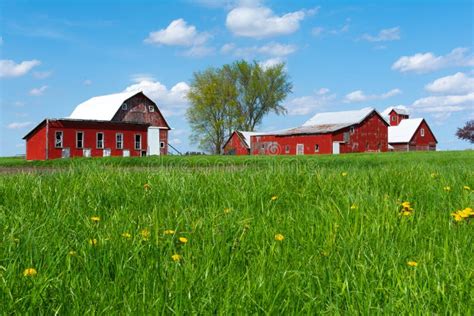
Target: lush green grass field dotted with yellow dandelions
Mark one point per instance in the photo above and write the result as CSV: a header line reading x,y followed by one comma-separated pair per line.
x,y
97,234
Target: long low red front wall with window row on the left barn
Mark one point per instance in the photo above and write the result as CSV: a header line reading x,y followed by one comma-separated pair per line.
x,y
90,130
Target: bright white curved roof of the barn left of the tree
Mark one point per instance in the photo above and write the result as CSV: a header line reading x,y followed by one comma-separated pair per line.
x,y
102,107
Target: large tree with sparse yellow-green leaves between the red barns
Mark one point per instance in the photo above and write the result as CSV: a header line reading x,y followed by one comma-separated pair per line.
x,y
235,96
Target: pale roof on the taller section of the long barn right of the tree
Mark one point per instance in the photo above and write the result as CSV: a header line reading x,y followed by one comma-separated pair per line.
x,y
343,118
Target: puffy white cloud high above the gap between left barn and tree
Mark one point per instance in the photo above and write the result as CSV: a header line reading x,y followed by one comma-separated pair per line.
x,y
178,33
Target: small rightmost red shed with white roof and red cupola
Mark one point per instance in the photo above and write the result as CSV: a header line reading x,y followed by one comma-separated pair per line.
x,y
407,134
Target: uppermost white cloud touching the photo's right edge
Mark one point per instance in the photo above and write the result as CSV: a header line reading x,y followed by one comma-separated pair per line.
x,y
427,62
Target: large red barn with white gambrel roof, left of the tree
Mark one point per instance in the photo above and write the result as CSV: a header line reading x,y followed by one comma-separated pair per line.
x,y
122,124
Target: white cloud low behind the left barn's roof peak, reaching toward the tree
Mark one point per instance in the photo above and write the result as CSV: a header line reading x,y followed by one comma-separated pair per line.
x,y
170,101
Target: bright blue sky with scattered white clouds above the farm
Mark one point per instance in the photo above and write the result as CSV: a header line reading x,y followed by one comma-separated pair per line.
x,y
339,55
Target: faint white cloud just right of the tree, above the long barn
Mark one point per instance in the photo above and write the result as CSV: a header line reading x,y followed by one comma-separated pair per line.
x,y
309,104
